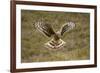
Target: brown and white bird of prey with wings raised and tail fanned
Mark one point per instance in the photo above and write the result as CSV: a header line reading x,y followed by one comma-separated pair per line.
x,y
56,41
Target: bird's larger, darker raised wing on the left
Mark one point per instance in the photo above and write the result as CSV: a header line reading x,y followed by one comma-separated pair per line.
x,y
45,28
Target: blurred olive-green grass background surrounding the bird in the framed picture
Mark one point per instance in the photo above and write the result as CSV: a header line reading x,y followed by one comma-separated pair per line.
x,y
32,41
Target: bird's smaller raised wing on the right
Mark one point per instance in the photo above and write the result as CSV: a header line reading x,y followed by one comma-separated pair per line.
x,y
66,27
